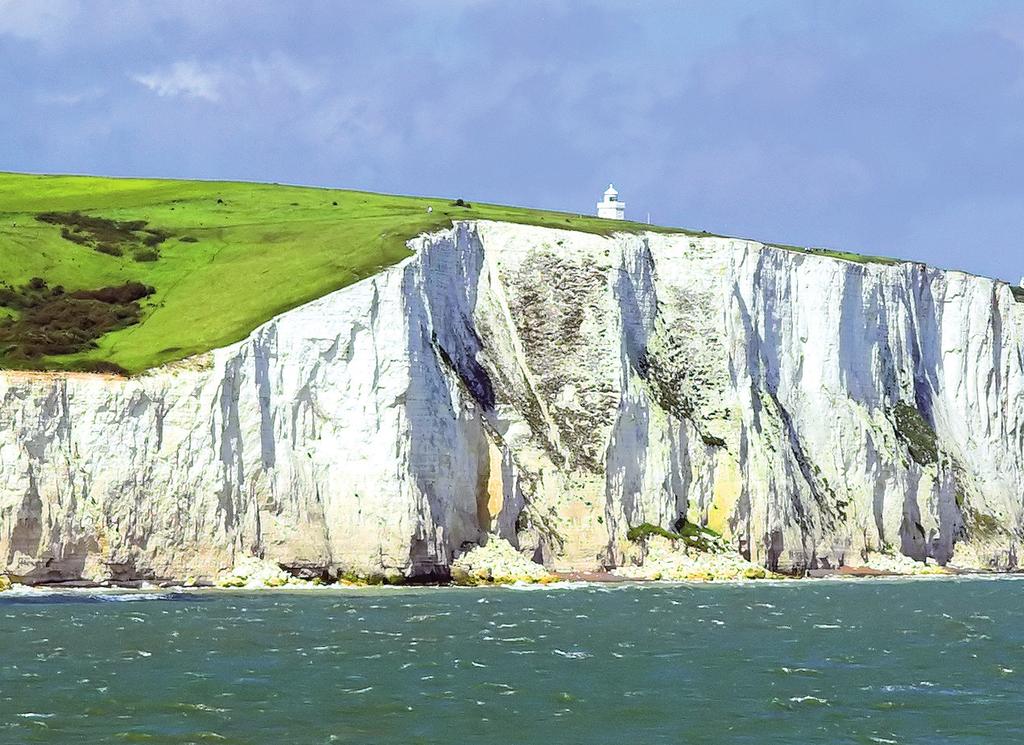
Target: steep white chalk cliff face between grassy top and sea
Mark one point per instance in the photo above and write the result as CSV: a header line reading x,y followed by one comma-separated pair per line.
x,y
553,388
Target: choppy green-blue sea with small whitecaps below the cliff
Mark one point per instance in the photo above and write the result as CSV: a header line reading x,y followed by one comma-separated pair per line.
x,y
813,662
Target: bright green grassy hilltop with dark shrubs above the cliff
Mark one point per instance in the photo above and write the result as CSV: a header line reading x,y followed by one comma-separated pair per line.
x,y
124,275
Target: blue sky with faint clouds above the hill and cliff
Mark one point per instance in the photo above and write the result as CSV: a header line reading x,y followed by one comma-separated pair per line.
x,y
893,128
